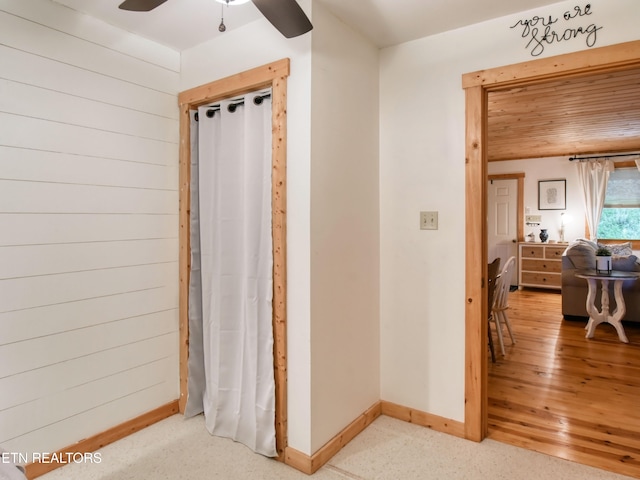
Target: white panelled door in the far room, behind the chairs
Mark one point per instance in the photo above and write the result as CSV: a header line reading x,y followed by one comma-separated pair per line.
x,y
502,228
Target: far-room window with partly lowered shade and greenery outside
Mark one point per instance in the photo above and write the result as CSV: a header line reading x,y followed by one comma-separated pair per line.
x,y
621,213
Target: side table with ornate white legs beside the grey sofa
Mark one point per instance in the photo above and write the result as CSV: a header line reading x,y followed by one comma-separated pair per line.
x,y
604,316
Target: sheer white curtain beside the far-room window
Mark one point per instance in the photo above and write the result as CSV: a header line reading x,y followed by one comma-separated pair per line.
x,y
593,176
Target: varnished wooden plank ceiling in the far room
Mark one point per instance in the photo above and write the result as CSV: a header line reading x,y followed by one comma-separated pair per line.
x,y
599,113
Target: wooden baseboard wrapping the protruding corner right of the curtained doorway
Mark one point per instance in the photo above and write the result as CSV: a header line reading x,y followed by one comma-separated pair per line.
x,y
310,464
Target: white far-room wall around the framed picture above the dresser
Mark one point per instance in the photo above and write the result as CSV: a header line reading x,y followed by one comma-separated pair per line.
x,y
553,168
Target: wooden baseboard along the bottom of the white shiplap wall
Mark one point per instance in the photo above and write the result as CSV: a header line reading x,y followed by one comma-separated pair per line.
x,y
98,441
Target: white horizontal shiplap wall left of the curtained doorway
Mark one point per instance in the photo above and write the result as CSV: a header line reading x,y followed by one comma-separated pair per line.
x,y
88,226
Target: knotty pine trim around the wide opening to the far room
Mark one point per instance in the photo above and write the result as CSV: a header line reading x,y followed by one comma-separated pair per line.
x,y
477,85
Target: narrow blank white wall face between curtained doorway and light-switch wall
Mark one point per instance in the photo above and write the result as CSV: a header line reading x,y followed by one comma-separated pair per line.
x,y
345,344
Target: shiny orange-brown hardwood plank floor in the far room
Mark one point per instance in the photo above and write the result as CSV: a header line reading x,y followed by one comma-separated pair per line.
x,y
558,393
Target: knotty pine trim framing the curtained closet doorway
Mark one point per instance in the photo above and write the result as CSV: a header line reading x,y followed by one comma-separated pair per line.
x,y
272,75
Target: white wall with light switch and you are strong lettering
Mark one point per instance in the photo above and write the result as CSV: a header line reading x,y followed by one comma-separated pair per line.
x,y
422,168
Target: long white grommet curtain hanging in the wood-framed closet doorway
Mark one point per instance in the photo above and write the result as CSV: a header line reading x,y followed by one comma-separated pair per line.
x,y
231,374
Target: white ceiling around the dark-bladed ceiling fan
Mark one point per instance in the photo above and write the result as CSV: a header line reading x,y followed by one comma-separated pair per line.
x,y
181,24
